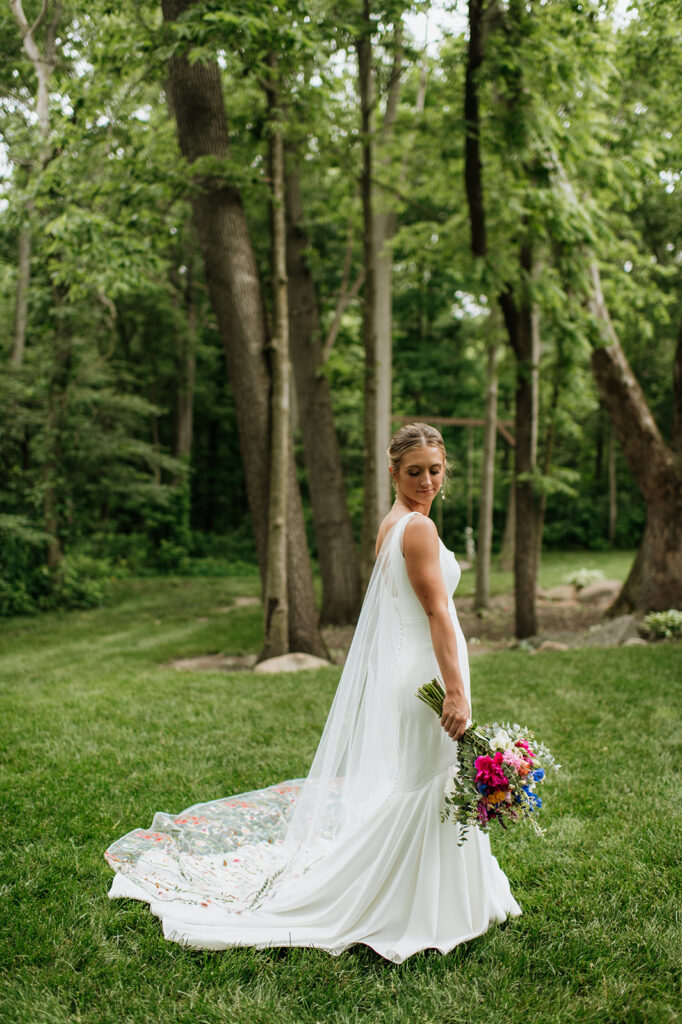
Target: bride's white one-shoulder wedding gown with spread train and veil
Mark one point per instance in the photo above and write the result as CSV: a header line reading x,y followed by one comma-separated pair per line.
x,y
357,852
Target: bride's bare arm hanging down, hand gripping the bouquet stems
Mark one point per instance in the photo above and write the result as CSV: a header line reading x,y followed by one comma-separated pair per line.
x,y
422,558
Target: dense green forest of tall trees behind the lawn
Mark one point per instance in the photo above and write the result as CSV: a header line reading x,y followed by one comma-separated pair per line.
x,y
496,209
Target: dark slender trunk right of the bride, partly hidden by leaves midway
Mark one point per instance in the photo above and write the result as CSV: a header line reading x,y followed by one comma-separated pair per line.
x,y
523,333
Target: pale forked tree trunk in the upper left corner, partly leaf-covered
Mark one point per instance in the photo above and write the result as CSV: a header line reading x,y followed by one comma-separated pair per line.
x,y
44,66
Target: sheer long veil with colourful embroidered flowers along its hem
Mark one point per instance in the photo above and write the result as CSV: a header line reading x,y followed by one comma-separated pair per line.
x,y
246,847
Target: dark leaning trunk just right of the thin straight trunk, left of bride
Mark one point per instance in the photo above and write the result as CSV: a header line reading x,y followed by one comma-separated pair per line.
x,y
336,549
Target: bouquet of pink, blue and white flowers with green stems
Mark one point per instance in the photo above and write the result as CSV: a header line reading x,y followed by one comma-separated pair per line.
x,y
499,771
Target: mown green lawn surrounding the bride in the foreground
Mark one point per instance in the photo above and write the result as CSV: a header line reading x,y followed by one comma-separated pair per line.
x,y
97,737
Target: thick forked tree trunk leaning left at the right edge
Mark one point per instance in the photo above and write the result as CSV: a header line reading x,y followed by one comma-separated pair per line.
x,y
655,583
